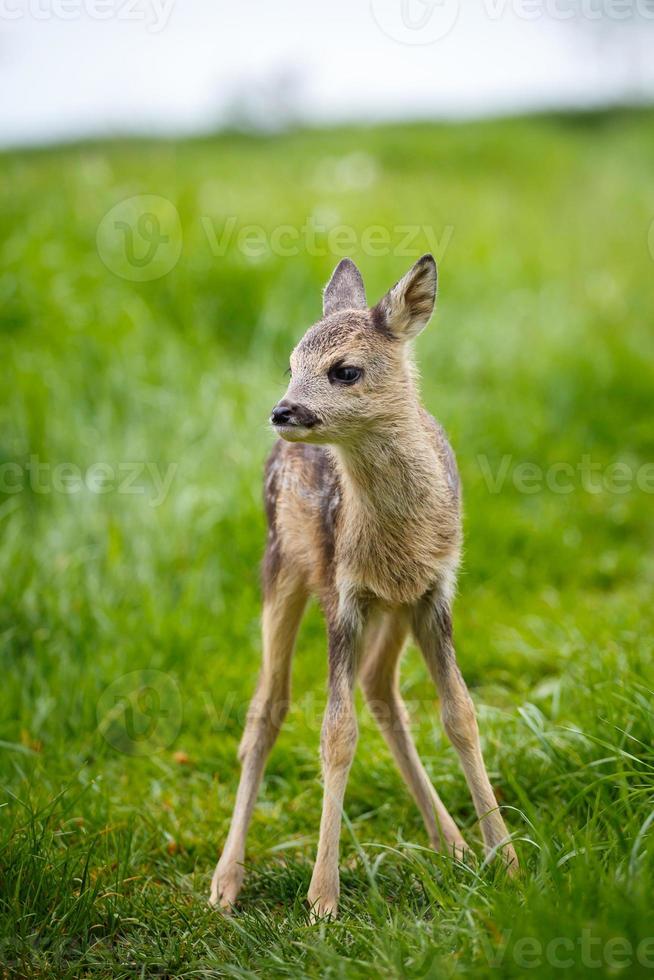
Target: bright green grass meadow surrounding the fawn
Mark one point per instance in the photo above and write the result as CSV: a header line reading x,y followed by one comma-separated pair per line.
x,y
541,351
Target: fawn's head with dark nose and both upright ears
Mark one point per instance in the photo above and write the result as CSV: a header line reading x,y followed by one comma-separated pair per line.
x,y
350,373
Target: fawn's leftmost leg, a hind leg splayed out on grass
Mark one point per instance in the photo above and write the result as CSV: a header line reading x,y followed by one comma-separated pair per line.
x,y
282,612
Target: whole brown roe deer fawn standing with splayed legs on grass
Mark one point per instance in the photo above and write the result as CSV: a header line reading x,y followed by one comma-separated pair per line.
x,y
362,499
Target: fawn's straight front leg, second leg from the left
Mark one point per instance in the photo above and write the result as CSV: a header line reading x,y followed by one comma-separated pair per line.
x,y
338,743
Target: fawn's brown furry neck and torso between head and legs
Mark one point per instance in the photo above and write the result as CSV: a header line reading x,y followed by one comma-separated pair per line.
x,y
348,509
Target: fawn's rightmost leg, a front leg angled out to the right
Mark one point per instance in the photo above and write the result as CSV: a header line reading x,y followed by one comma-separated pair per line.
x,y
432,627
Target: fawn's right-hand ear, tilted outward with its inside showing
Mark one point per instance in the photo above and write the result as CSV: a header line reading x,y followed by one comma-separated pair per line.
x,y
407,307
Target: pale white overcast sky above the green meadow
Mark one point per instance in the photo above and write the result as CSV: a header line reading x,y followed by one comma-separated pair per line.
x,y
80,67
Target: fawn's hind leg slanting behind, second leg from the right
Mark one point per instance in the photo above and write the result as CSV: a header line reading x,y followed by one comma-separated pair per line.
x,y
379,679
